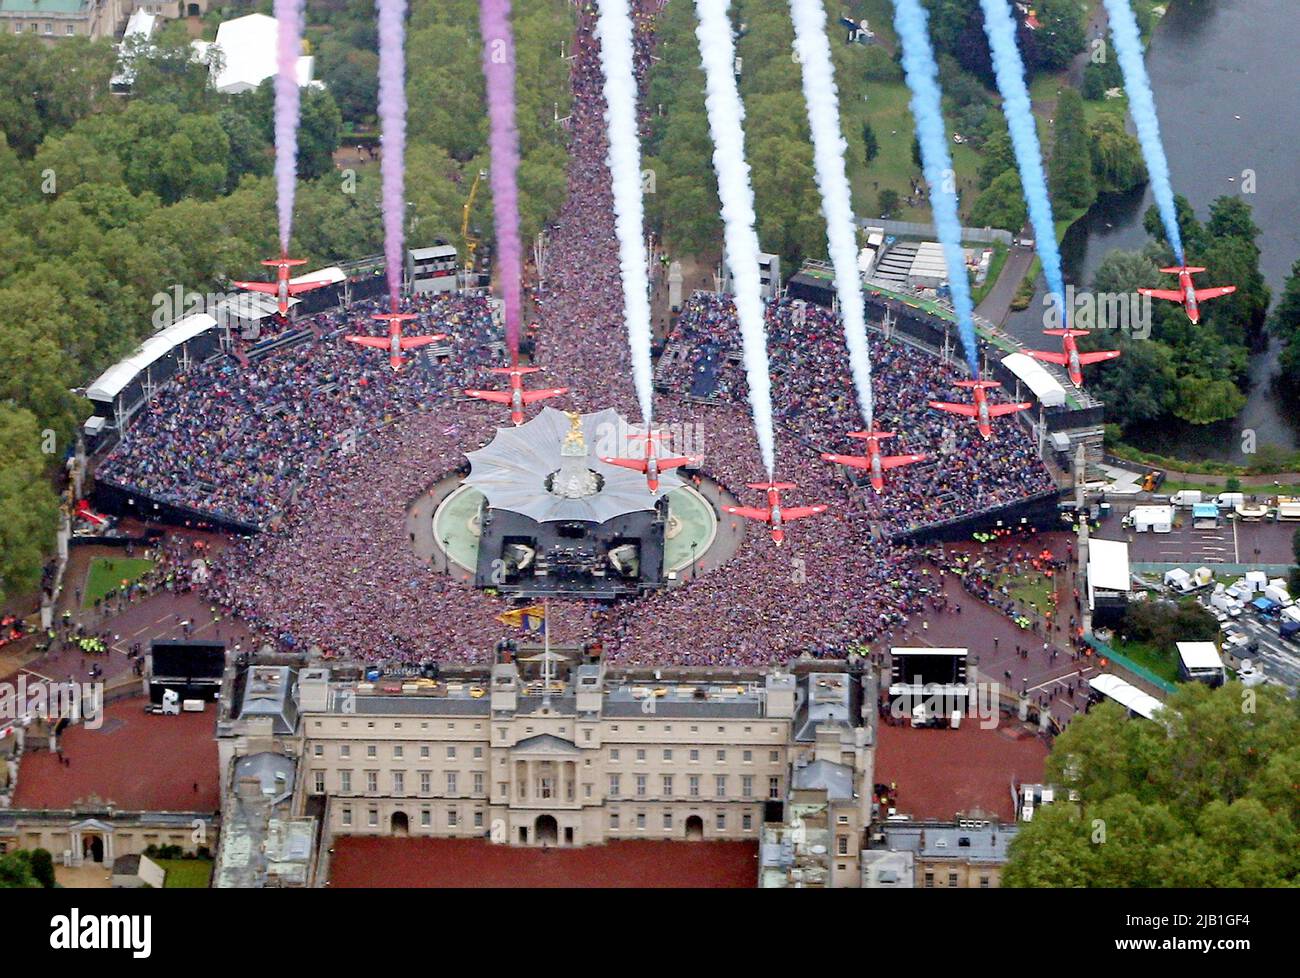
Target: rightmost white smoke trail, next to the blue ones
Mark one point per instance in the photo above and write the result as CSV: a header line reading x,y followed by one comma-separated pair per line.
x,y
829,146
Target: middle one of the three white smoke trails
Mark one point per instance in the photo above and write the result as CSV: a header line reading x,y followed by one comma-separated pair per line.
x,y
726,114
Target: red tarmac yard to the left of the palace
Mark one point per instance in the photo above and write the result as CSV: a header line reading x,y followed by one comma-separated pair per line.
x,y
136,760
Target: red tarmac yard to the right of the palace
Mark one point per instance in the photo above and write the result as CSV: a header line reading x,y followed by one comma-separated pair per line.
x,y
944,772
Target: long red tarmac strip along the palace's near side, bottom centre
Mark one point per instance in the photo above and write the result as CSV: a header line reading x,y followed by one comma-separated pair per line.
x,y
375,862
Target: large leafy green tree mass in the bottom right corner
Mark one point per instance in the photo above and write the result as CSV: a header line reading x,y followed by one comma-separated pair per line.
x,y
1204,797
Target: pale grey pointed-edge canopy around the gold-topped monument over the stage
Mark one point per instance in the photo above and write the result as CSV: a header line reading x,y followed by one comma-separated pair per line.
x,y
512,471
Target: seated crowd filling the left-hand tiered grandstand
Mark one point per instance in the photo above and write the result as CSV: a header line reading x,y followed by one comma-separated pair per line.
x,y
232,438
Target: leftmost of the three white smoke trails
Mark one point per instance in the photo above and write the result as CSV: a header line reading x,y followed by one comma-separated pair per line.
x,y
614,31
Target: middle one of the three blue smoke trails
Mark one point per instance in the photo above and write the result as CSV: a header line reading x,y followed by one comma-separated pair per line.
x,y
1019,110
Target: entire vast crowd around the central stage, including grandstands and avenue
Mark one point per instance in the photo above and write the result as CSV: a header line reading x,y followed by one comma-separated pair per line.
x,y
336,569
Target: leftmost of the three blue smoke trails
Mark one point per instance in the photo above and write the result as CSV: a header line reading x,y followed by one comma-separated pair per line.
x,y
918,64
